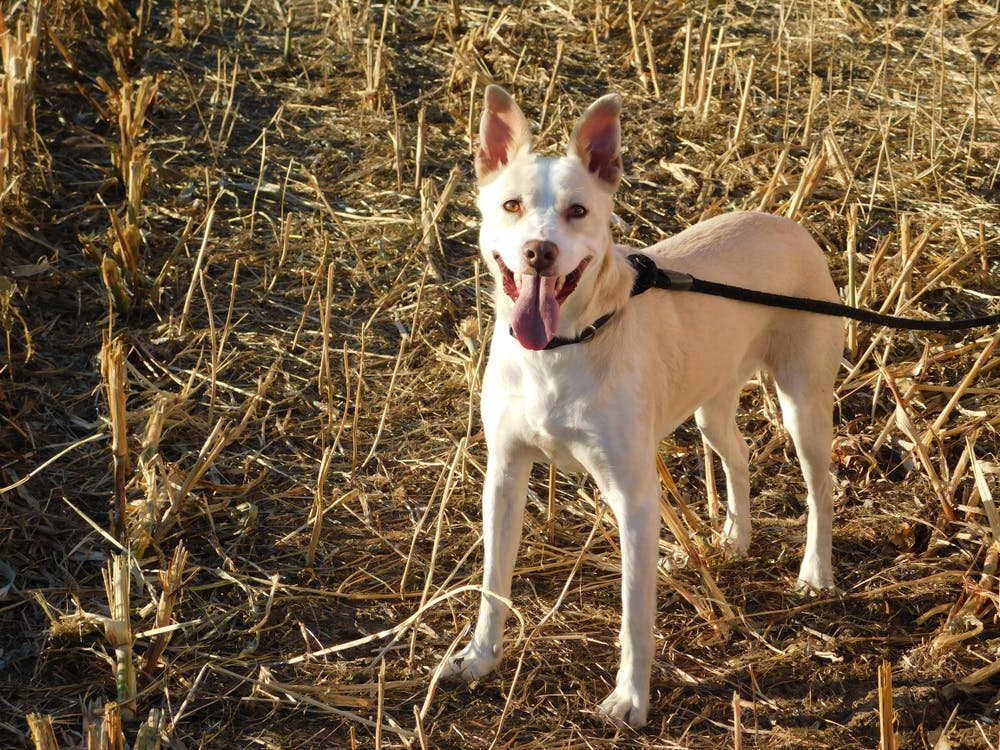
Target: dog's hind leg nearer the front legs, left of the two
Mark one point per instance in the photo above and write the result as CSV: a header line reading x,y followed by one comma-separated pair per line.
x,y
716,419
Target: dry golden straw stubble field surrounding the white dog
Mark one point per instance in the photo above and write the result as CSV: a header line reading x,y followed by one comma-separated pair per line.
x,y
242,462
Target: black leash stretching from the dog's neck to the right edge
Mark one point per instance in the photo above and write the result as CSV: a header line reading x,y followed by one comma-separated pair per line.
x,y
649,276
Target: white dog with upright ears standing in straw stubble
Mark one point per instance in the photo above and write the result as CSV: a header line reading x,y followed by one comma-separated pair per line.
x,y
583,375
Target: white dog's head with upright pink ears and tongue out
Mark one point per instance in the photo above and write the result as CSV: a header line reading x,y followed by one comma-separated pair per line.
x,y
545,220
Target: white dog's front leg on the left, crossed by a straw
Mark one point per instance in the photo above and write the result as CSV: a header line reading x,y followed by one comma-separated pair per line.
x,y
504,492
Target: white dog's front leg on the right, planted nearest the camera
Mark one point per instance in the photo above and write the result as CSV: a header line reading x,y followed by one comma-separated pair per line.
x,y
636,506
